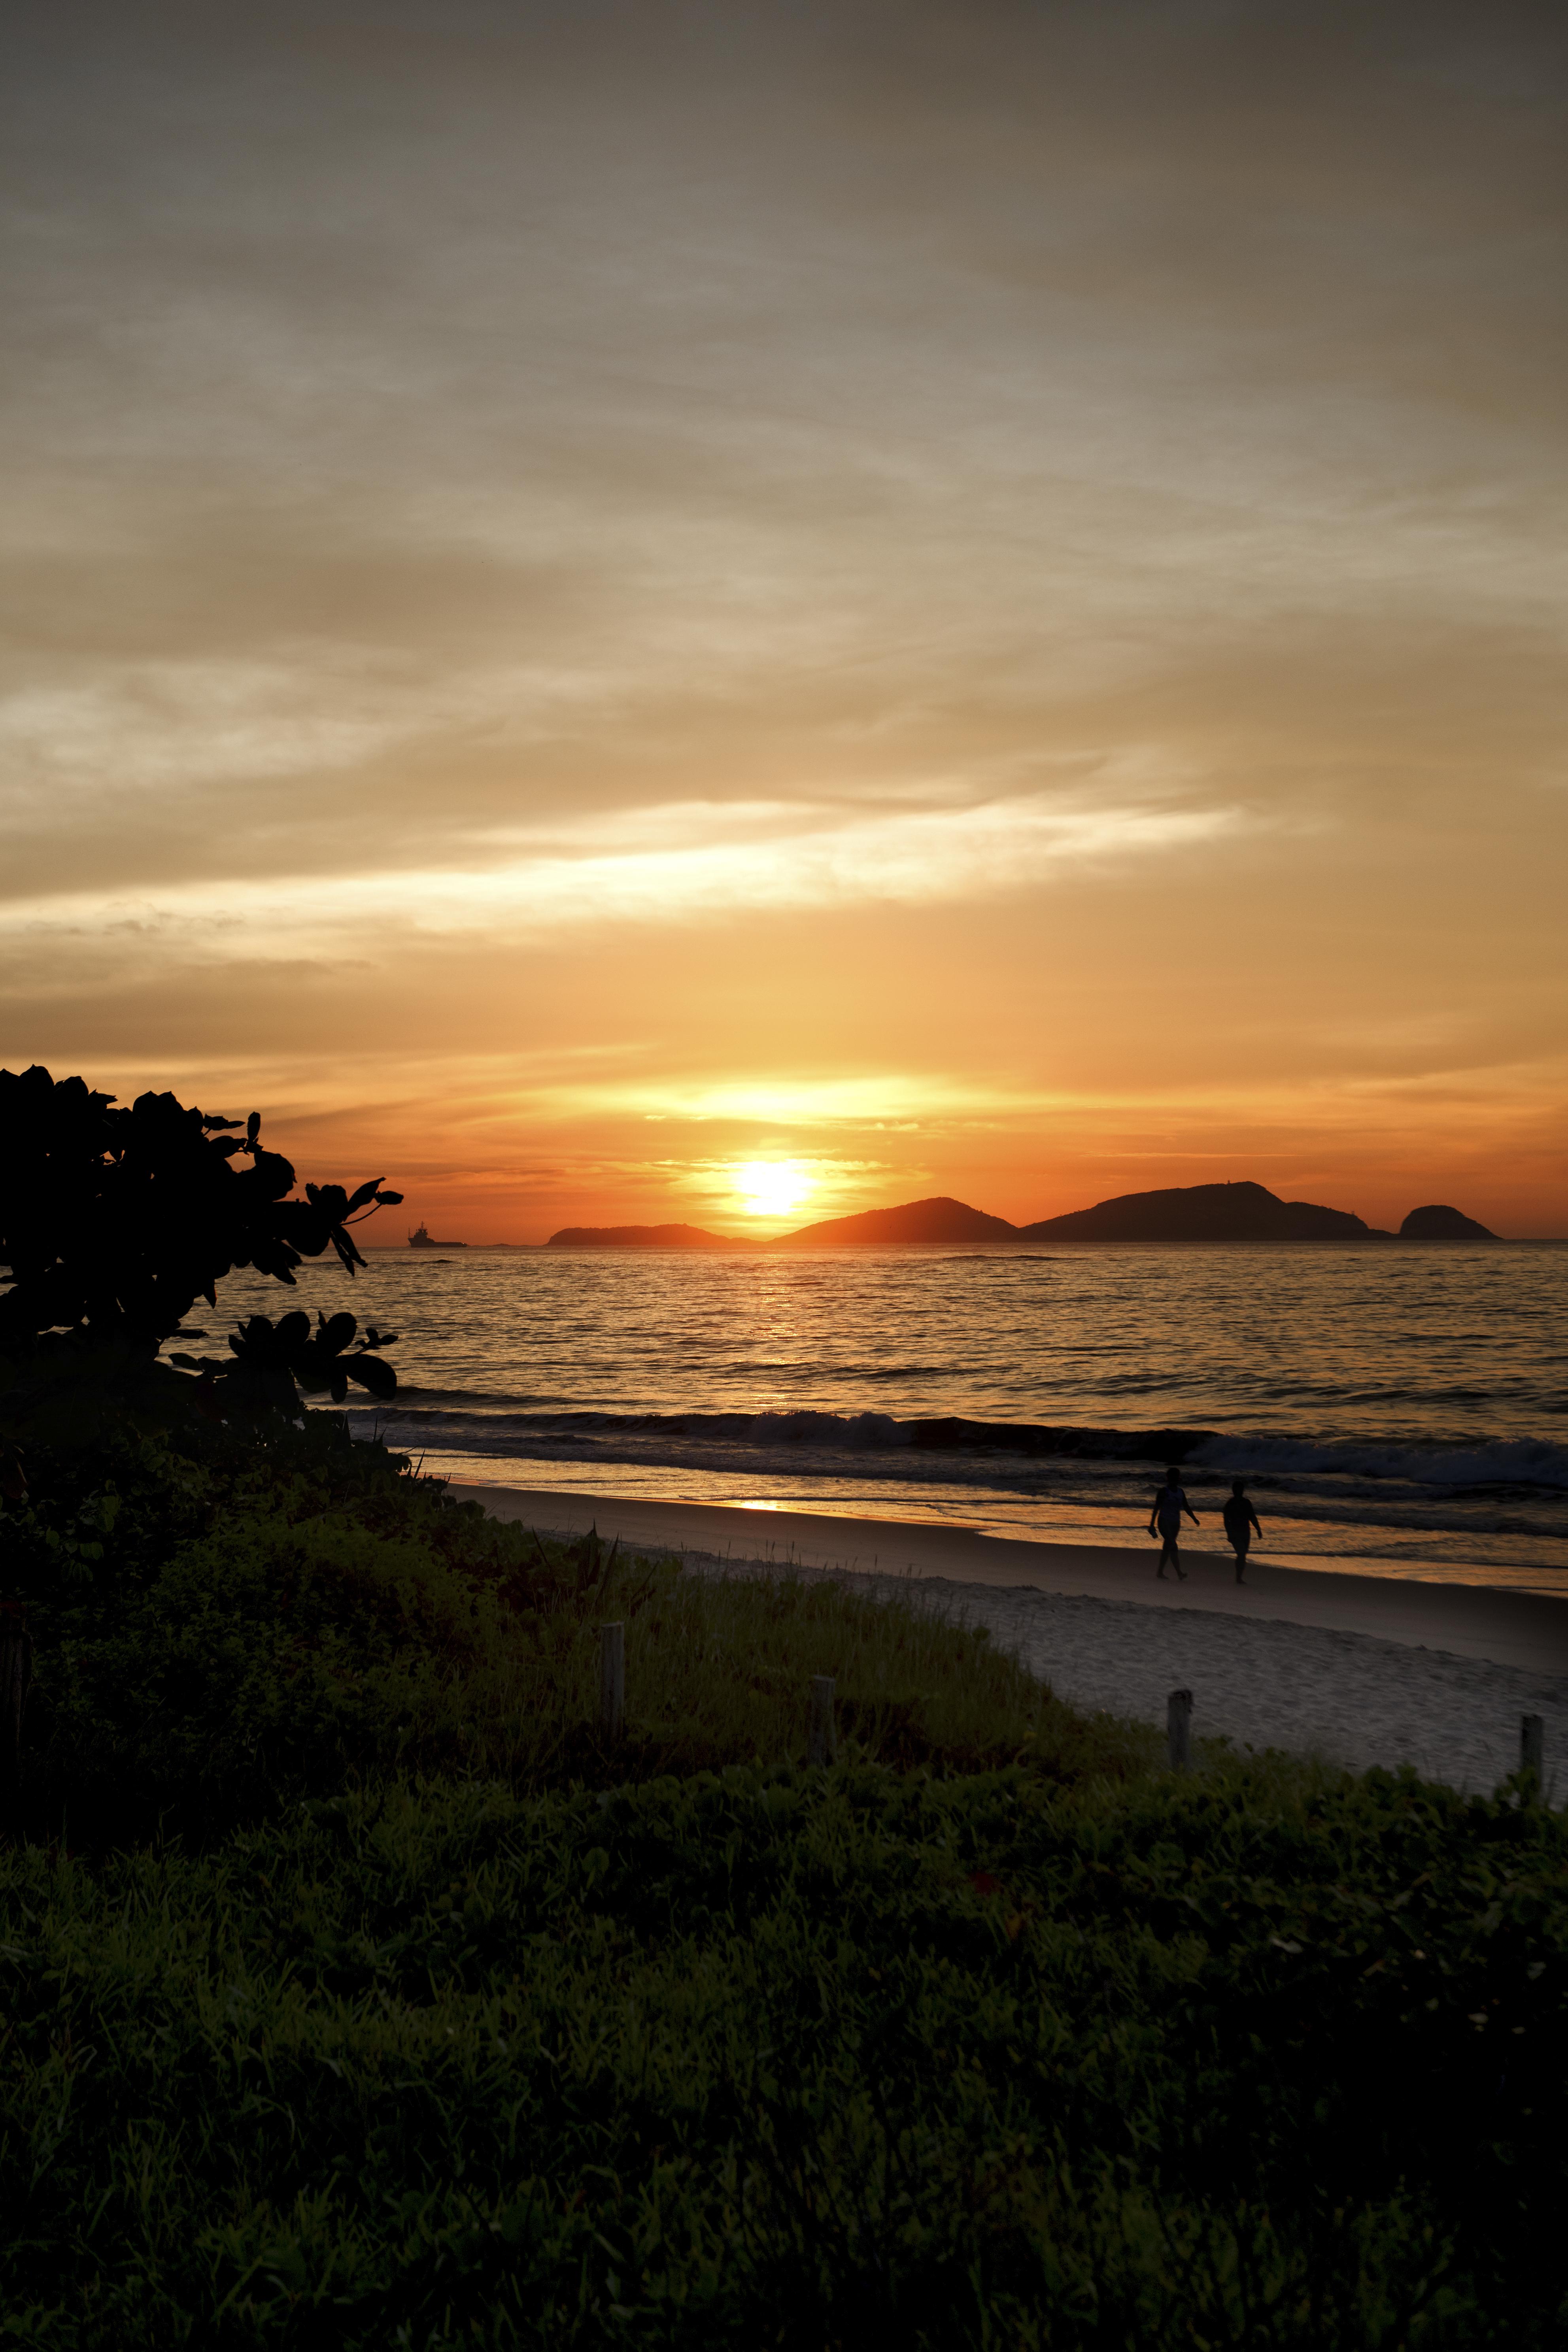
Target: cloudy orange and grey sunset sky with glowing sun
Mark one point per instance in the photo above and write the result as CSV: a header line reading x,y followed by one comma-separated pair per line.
x,y
732,613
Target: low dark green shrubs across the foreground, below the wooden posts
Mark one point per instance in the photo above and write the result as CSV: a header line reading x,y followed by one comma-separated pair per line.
x,y
800,2059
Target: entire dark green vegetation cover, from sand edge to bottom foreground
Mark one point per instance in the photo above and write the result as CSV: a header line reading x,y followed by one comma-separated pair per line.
x,y
384,2007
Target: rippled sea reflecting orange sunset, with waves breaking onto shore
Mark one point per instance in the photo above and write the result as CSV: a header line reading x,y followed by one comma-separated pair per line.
x,y
1393,1408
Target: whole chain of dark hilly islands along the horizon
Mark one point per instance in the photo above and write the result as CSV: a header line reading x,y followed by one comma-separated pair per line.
x,y
1200,1212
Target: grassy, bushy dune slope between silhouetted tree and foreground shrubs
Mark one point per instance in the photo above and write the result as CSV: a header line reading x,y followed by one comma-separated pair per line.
x,y
232,1619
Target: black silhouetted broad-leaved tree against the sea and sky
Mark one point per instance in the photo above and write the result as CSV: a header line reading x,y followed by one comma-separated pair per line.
x,y
116,1222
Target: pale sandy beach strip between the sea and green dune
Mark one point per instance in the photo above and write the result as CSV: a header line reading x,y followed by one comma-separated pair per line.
x,y
1355,1669
